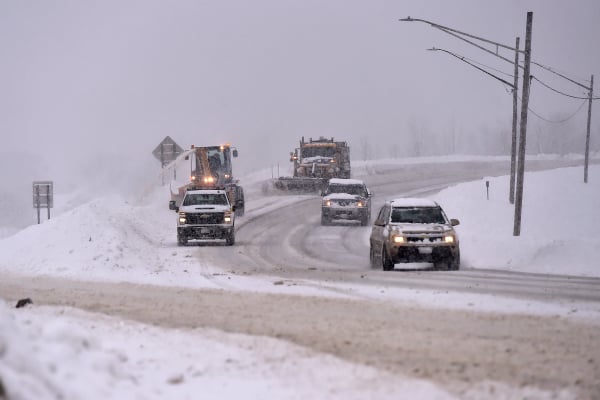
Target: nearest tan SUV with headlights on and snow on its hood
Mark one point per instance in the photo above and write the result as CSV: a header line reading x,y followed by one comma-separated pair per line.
x,y
414,230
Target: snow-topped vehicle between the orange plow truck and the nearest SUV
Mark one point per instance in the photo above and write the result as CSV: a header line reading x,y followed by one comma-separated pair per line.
x,y
346,200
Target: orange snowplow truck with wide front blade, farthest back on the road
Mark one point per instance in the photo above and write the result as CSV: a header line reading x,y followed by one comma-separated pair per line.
x,y
315,162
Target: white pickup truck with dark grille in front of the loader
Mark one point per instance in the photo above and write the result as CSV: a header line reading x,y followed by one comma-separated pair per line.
x,y
205,214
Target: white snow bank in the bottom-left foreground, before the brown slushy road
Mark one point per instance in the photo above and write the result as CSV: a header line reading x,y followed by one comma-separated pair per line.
x,y
61,353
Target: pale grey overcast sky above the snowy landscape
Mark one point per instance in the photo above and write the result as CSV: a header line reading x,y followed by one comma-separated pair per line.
x,y
96,78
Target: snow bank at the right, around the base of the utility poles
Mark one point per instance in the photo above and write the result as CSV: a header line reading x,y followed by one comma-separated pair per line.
x,y
559,226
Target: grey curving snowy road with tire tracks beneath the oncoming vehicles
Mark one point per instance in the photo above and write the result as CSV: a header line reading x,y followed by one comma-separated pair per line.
x,y
289,242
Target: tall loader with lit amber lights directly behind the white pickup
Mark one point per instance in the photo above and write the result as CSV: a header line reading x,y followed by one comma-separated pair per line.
x,y
211,169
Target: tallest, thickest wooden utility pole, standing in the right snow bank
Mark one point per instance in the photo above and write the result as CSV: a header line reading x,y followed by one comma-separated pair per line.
x,y
523,132
